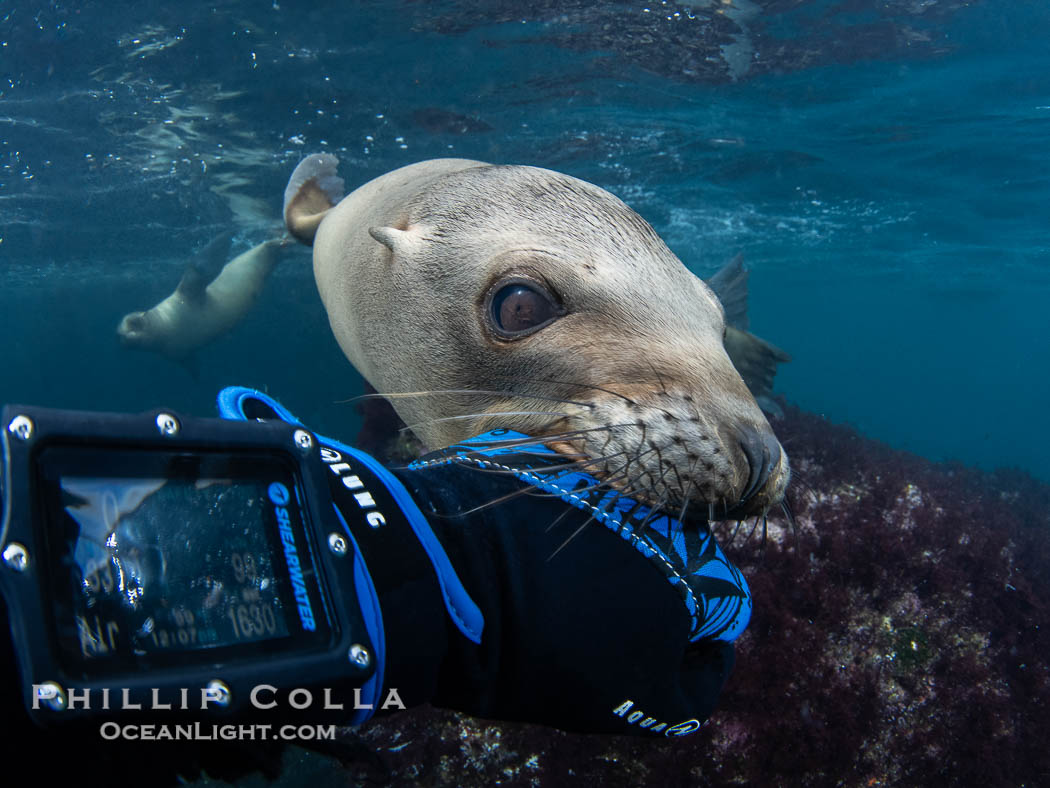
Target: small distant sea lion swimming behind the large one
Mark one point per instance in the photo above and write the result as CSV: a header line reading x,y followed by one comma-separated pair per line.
x,y
199,313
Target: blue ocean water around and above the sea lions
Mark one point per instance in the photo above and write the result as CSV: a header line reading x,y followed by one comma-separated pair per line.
x,y
883,167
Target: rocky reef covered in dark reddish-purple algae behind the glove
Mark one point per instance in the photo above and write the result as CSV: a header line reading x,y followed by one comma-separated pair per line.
x,y
899,638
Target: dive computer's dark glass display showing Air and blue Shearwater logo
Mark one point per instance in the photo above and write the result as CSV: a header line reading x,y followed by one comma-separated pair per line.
x,y
165,558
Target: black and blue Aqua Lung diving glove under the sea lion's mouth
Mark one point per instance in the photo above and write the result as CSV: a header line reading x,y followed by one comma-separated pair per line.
x,y
510,588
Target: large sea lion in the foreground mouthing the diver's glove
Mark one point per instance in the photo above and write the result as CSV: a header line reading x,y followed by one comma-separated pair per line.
x,y
515,297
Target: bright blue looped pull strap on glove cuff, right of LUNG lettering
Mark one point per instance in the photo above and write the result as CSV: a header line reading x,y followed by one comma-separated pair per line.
x,y
237,402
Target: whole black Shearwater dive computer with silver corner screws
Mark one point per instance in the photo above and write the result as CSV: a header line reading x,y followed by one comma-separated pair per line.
x,y
164,563
